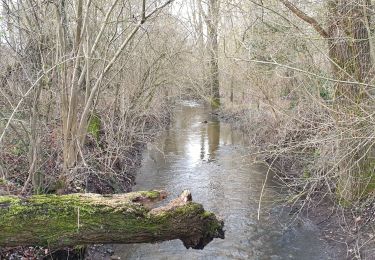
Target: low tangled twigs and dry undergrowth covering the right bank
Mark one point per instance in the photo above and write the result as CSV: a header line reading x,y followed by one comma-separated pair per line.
x,y
300,147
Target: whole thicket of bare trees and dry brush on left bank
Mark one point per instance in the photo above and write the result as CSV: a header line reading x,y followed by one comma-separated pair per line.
x,y
84,85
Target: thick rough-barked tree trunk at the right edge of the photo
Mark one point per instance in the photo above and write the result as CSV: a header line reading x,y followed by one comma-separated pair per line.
x,y
350,54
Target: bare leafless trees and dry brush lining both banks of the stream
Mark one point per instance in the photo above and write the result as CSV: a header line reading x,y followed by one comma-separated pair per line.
x,y
84,84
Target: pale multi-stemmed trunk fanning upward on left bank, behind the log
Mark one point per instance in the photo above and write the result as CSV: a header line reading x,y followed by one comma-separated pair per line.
x,y
75,119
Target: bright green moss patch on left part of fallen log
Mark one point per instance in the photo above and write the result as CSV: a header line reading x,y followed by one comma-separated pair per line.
x,y
55,218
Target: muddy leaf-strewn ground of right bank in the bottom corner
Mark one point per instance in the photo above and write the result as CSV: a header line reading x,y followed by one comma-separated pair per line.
x,y
348,231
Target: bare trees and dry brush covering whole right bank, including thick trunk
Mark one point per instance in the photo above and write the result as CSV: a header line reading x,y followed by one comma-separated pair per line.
x,y
307,103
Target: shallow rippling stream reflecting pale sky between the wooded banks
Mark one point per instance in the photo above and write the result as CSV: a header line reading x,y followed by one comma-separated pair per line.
x,y
212,160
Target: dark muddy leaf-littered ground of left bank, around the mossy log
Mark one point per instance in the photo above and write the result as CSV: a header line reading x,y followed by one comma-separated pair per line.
x,y
149,127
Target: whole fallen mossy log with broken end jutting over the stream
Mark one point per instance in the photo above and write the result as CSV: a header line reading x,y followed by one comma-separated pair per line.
x,y
80,219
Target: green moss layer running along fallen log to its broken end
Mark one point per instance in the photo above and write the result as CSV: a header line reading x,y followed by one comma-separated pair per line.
x,y
52,220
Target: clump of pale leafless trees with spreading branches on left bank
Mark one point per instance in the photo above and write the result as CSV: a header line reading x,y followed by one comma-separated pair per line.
x,y
65,59
